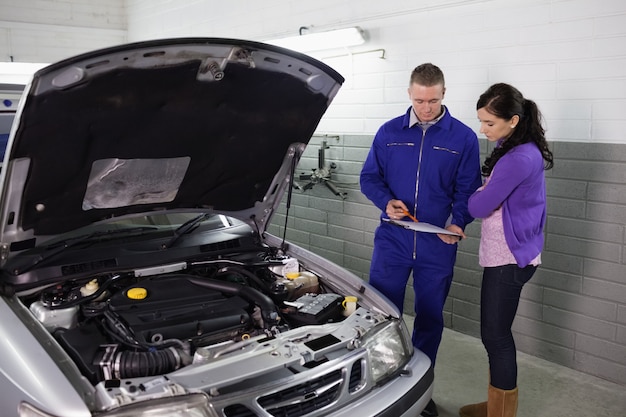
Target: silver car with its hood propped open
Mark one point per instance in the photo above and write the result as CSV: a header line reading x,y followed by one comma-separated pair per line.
x,y
137,277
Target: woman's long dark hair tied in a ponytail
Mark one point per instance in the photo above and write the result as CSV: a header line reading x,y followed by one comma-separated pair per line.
x,y
505,101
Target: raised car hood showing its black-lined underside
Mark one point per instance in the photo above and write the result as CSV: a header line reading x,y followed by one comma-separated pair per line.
x,y
198,123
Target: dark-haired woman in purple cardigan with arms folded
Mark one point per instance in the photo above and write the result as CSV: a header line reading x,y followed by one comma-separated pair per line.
x,y
512,206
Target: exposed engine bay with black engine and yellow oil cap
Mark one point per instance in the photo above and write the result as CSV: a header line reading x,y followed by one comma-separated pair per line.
x,y
151,322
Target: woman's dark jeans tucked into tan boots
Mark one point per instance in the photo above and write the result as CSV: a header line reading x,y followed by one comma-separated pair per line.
x,y
499,298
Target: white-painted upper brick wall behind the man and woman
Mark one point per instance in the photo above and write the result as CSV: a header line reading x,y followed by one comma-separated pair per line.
x,y
567,54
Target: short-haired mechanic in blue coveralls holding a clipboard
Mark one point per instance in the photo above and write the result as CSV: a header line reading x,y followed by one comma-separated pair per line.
x,y
426,163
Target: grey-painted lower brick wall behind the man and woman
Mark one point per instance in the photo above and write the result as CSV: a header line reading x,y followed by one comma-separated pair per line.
x,y
573,311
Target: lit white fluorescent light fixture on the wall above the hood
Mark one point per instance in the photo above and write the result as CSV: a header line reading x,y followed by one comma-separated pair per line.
x,y
317,41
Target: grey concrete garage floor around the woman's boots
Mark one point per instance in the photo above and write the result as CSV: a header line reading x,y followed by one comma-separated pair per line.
x,y
545,389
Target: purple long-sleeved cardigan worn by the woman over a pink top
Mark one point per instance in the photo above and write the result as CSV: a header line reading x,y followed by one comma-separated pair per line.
x,y
517,184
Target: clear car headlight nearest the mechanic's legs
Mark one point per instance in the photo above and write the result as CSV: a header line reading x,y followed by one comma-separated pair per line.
x,y
389,350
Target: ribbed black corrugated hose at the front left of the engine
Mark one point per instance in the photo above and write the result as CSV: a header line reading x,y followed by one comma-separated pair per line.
x,y
139,364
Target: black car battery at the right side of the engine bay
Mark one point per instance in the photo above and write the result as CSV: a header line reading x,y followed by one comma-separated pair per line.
x,y
317,309
